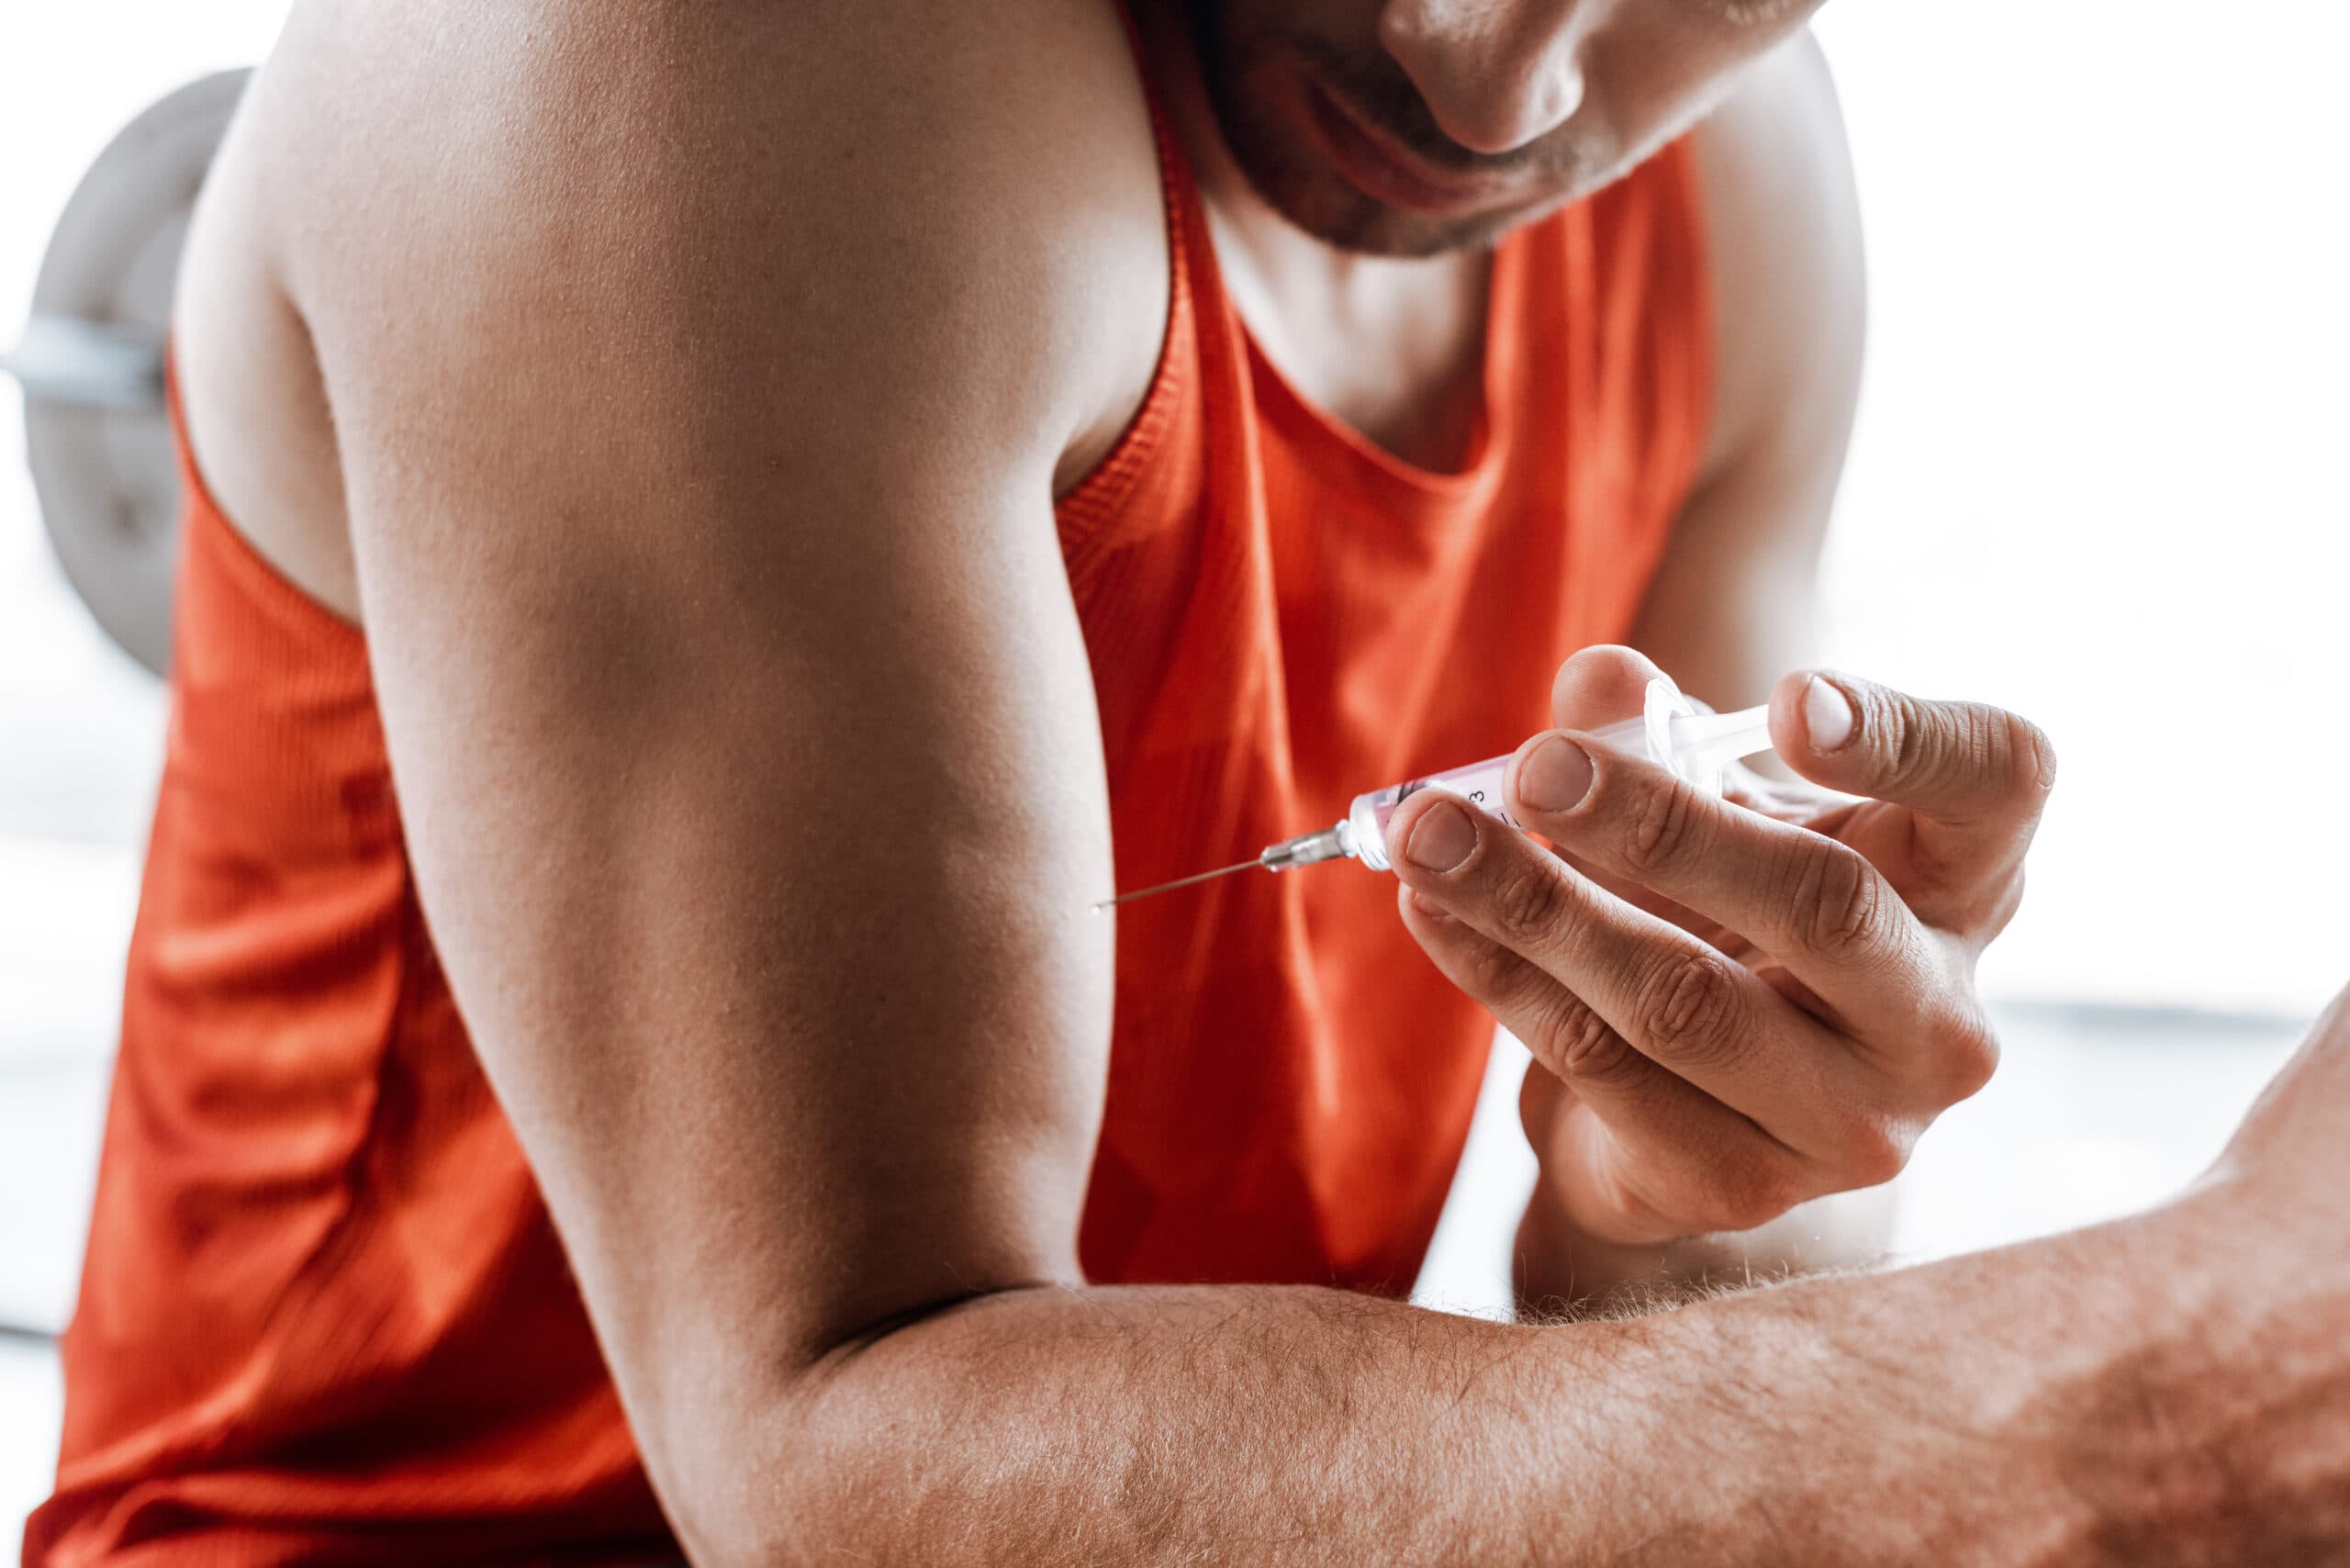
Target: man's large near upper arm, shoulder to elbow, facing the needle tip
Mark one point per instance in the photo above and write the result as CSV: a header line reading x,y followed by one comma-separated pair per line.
x,y
699,427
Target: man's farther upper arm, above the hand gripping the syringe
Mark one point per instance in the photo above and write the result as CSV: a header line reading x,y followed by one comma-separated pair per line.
x,y
1731,605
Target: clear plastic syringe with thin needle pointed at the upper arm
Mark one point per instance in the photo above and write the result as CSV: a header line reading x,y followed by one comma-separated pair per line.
x,y
1696,746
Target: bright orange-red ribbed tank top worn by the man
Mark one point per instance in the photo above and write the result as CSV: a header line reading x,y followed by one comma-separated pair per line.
x,y
325,1315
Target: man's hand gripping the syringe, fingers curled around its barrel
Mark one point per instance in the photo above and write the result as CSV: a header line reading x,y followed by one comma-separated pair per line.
x,y
1733,1005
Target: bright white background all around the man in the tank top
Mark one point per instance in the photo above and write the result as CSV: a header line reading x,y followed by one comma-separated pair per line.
x,y
2097,478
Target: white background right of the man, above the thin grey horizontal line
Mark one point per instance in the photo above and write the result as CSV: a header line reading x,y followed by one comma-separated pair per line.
x,y
2100,467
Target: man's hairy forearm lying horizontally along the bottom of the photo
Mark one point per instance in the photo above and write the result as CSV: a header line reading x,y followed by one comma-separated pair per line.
x,y
2053,1402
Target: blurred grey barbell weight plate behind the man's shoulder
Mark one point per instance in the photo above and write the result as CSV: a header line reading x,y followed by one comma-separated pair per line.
x,y
107,478
